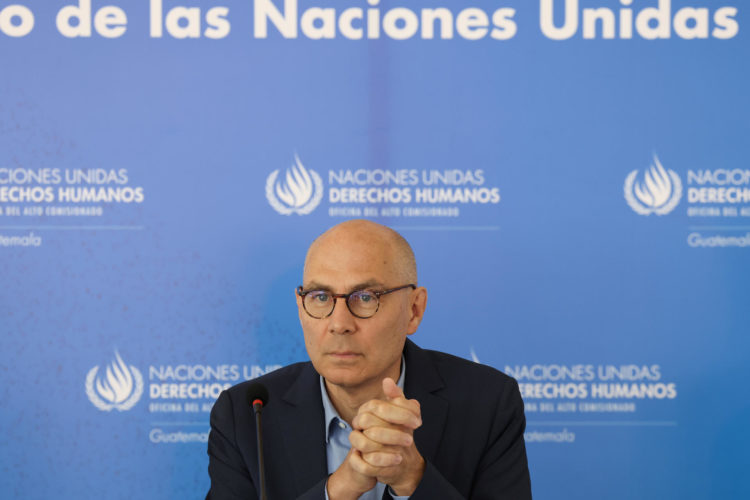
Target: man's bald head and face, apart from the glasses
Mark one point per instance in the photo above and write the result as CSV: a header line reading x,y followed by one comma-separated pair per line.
x,y
353,352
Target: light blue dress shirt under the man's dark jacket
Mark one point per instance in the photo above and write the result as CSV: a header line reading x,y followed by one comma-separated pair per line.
x,y
337,439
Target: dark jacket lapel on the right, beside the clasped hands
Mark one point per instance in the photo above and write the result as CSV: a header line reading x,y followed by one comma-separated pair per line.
x,y
422,382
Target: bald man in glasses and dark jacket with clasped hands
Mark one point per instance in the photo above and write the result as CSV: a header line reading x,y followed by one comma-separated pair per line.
x,y
421,424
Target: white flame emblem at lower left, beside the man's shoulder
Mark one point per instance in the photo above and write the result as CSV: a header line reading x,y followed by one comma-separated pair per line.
x,y
119,387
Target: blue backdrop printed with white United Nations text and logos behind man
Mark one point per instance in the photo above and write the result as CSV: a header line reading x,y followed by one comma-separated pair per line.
x,y
573,177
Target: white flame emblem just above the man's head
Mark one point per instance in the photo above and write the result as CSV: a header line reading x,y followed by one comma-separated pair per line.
x,y
300,191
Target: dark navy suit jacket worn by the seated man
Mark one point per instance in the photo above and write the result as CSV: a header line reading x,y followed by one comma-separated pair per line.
x,y
471,437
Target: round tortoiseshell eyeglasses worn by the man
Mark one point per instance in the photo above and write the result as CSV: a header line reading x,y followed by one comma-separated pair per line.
x,y
361,303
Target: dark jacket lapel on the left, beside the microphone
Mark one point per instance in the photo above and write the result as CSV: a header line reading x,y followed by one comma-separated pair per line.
x,y
303,431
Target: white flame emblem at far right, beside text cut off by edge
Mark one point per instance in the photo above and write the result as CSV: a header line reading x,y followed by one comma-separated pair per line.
x,y
658,193
